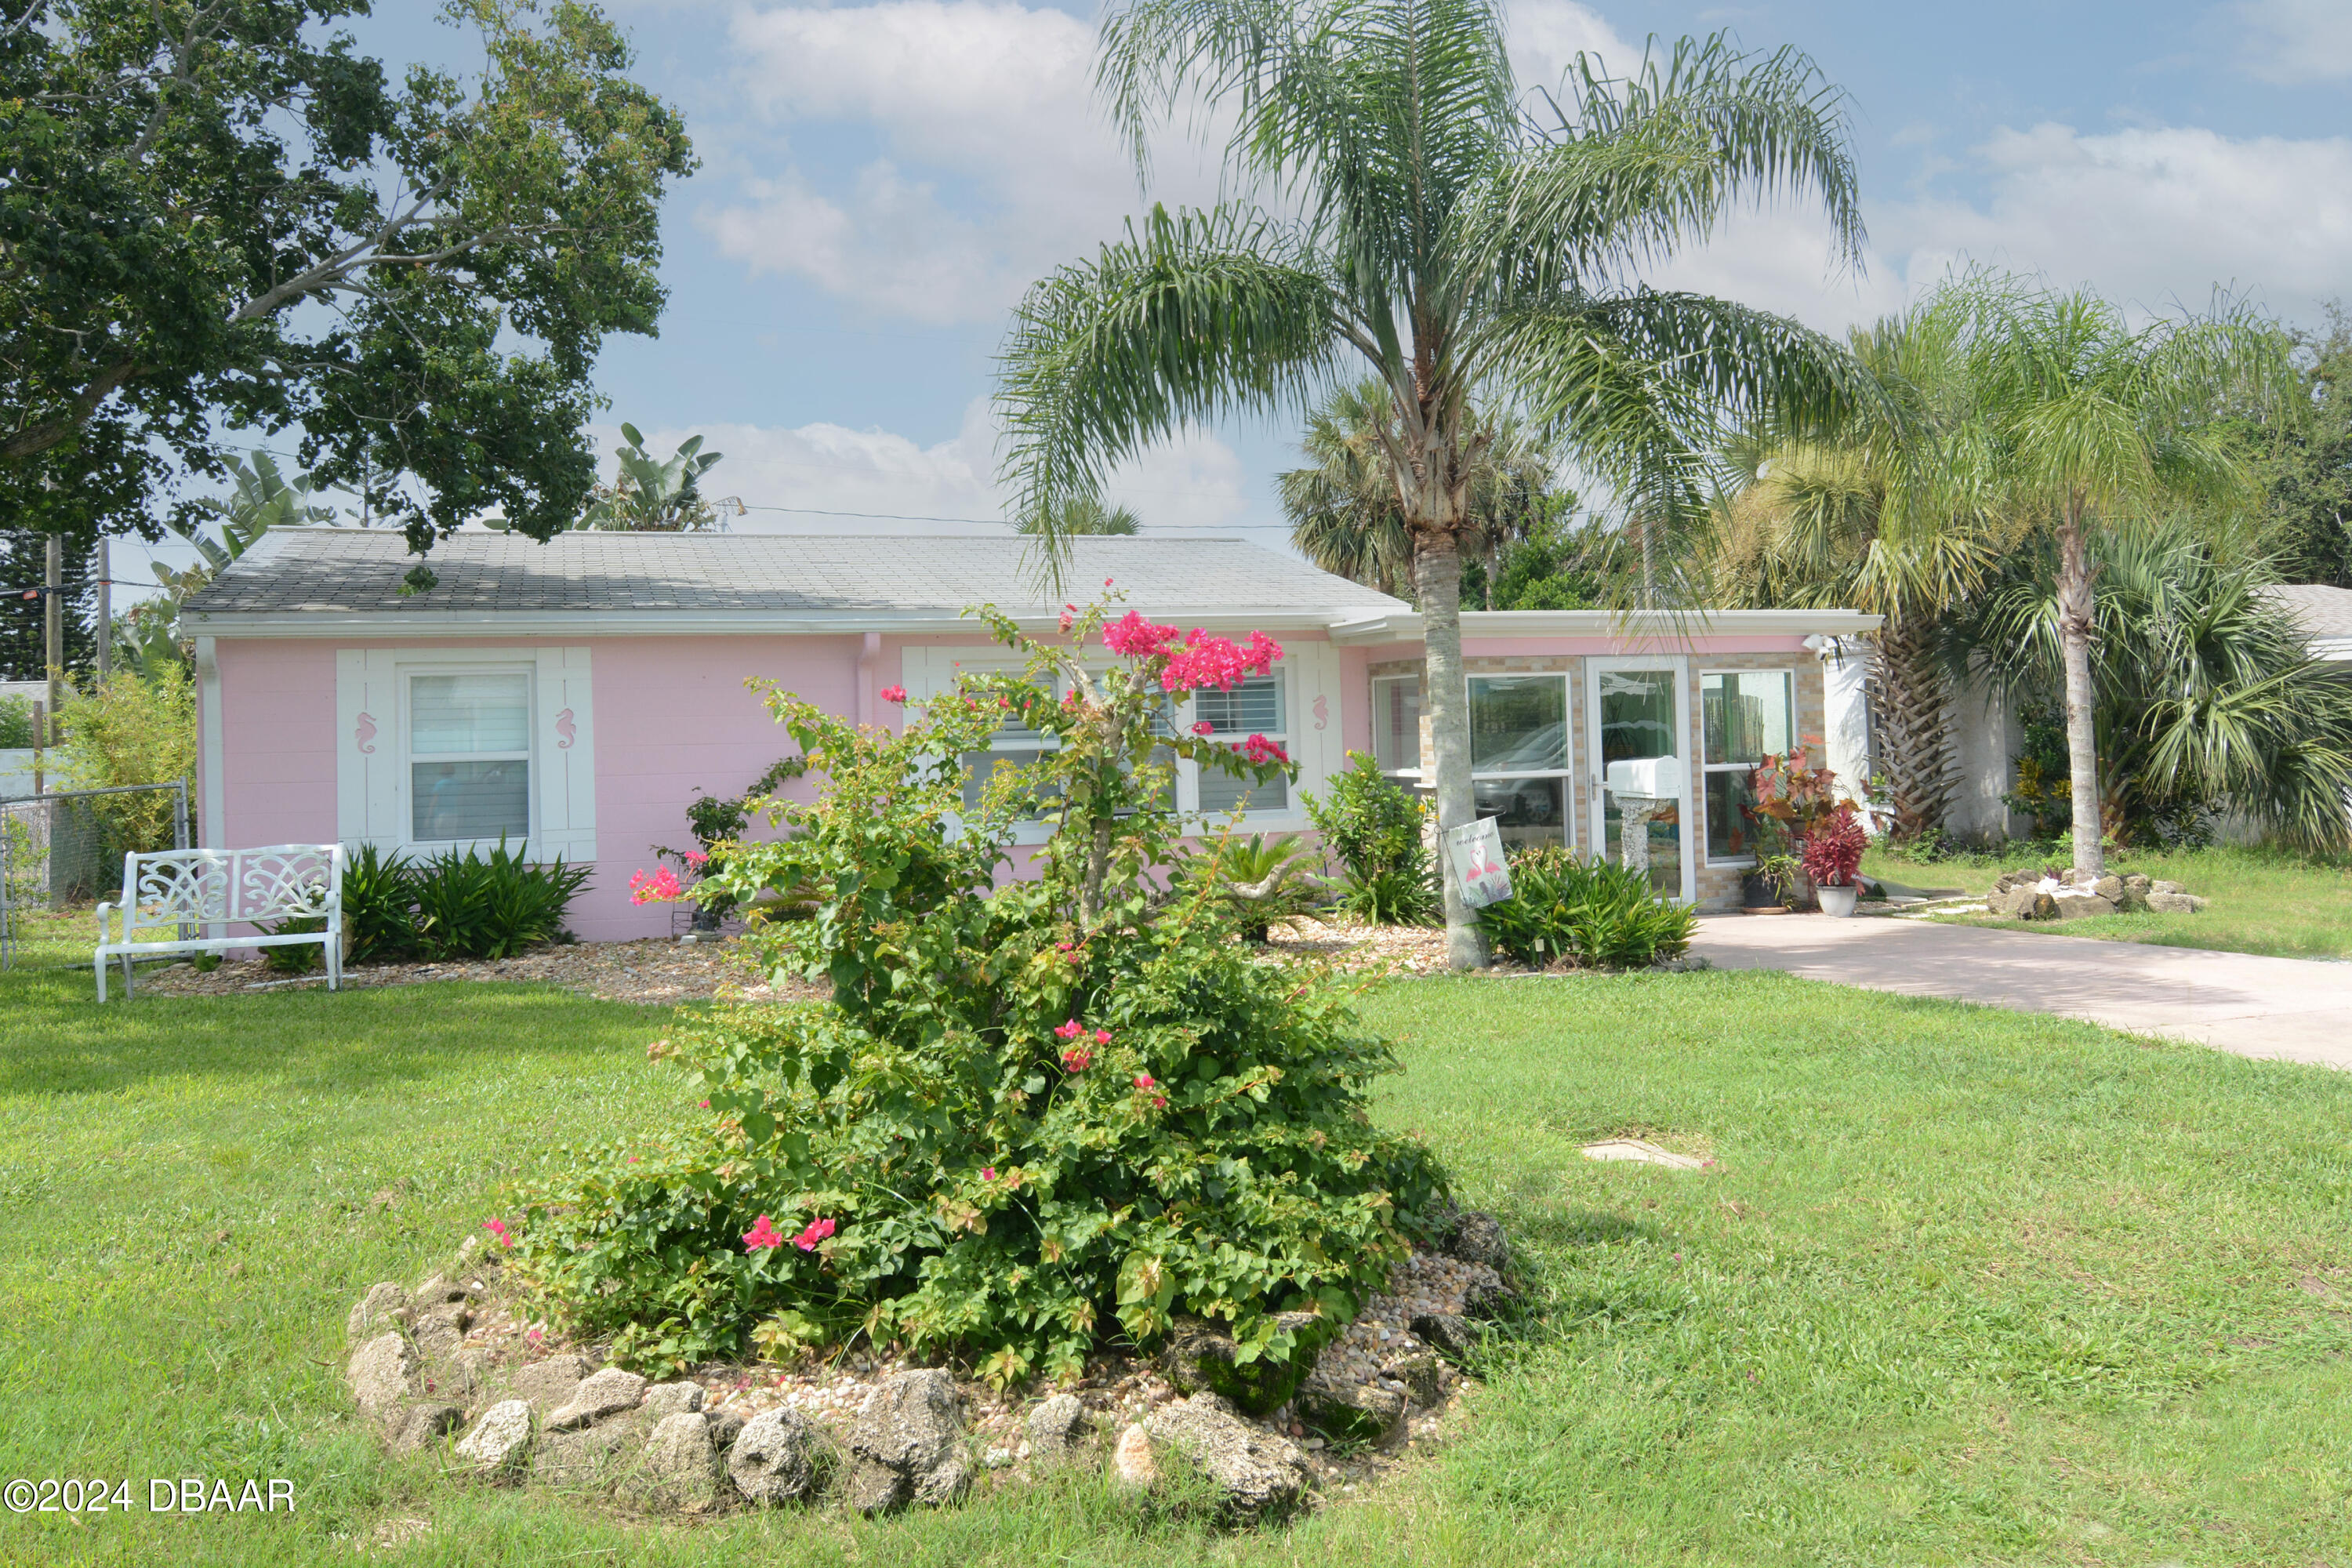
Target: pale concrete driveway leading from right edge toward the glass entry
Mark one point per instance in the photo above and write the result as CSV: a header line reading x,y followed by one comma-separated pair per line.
x,y
2287,1010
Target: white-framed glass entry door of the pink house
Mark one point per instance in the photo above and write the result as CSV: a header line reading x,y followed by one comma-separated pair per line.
x,y
1638,709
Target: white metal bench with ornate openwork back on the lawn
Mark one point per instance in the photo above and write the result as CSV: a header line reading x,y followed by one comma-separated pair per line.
x,y
218,887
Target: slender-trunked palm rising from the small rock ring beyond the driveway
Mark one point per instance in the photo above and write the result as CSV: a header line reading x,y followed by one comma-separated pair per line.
x,y
2094,424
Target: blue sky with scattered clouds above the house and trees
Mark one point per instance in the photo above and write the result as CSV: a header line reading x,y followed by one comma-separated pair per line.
x,y
883,180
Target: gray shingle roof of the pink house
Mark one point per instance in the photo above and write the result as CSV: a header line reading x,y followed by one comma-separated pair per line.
x,y
354,572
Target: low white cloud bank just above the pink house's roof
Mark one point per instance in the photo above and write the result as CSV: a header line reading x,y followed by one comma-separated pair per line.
x,y
831,474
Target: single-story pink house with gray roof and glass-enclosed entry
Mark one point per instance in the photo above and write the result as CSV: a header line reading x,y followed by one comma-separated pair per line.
x,y
577,695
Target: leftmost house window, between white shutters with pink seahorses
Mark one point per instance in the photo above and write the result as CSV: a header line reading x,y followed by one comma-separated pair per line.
x,y
469,756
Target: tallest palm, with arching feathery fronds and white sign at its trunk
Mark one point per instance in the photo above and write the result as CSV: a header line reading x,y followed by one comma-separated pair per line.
x,y
1448,239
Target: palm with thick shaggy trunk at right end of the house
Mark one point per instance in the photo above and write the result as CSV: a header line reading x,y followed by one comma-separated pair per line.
x,y
1887,521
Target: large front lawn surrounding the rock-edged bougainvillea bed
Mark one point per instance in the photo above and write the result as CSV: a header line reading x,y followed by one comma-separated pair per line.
x,y
1965,1287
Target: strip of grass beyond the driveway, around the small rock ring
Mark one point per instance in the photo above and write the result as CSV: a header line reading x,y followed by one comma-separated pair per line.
x,y
2264,902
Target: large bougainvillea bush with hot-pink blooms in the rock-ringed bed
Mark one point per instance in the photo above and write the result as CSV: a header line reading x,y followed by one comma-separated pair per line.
x,y
1038,1115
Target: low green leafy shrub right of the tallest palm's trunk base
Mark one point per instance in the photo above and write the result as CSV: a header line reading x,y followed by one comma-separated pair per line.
x,y
1565,909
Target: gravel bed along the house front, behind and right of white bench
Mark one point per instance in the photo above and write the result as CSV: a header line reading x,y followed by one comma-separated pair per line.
x,y
655,970
